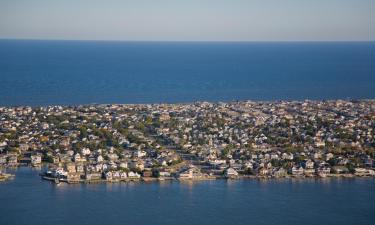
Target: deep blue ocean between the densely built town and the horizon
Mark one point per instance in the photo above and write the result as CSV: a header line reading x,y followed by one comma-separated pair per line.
x,y
78,72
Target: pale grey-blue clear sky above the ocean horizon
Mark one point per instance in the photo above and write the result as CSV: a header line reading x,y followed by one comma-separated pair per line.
x,y
189,20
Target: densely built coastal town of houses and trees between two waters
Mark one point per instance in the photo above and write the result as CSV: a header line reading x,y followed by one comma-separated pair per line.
x,y
197,141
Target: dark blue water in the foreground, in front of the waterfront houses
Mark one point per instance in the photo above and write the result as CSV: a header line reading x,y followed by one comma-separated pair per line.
x,y
29,200
